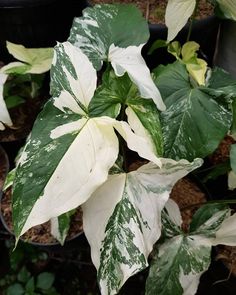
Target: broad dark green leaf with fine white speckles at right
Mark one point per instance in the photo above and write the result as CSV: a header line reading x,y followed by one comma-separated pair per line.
x,y
196,119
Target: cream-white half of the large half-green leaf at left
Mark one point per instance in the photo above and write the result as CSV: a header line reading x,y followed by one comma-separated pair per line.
x,y
90,157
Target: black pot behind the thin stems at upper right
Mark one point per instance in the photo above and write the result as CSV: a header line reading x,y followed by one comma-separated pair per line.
x,y
204,32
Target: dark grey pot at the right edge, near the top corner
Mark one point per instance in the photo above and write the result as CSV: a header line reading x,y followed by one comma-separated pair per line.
x,y
225,55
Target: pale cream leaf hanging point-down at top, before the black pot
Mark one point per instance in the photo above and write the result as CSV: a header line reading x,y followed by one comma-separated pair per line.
x,y
177,15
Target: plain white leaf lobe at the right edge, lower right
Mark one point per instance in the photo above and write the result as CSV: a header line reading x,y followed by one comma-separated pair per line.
x,y
226,235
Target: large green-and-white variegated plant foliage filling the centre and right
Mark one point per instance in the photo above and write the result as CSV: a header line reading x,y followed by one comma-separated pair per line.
x,y
80,151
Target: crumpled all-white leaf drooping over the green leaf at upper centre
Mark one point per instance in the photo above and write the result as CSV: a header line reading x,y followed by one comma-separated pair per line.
x,y
131,61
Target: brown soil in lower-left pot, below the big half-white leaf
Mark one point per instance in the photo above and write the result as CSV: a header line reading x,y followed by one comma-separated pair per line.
x,y
40,233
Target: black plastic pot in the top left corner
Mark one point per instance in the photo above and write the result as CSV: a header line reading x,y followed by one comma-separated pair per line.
x,y
36,23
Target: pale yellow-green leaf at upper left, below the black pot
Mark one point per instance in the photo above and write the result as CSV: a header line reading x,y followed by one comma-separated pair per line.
x,y
33,60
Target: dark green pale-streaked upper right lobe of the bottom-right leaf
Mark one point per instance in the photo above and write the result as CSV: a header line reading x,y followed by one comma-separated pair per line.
x,y
208,219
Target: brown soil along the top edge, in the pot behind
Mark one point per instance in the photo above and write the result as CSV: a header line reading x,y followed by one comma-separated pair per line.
x,y
154,10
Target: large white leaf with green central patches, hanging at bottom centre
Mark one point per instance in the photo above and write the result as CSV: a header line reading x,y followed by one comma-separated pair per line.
x,y
118,222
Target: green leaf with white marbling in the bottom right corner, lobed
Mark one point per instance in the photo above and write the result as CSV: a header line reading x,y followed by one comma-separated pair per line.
x,y
182,257
